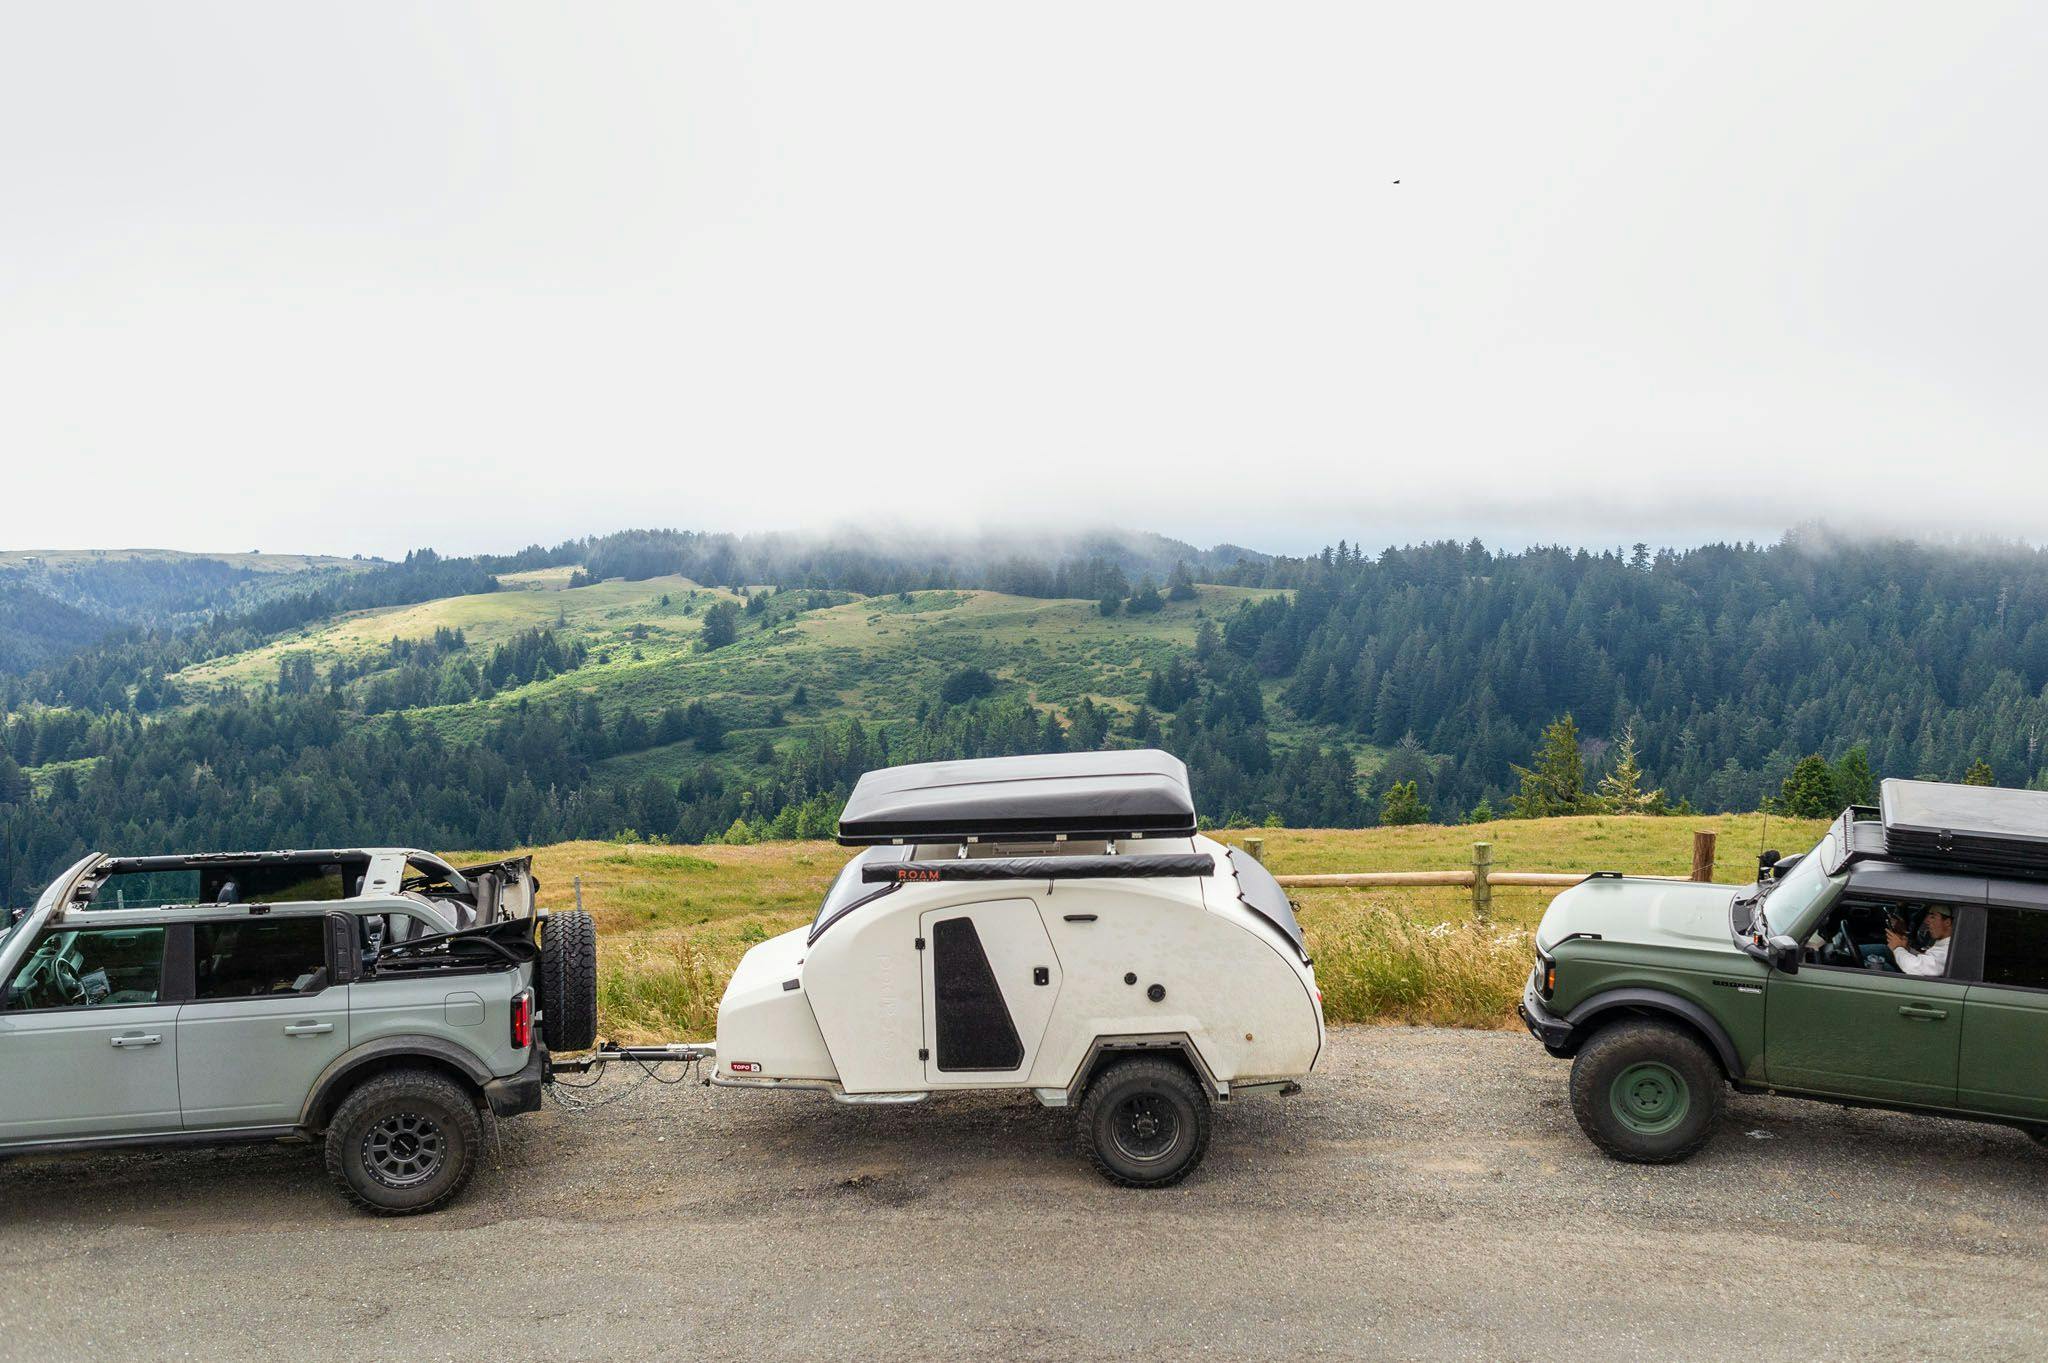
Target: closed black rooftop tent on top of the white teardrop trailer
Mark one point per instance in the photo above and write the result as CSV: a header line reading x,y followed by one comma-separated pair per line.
x,y
1074,795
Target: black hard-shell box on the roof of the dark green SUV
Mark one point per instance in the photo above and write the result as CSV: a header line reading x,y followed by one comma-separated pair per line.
x,y
1983,830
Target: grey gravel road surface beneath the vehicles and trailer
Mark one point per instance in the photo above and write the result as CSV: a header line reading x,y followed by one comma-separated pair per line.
x,y
1426,1198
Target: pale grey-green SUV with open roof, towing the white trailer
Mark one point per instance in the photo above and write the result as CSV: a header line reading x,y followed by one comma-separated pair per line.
x,y
374,998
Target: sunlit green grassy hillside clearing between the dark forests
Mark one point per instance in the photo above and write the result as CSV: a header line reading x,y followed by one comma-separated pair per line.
x,y
869,658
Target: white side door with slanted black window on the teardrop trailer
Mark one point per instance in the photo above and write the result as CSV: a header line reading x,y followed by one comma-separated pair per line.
x,y
990,981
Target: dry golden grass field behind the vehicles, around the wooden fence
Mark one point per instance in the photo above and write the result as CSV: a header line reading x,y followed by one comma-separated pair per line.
x,y
677,920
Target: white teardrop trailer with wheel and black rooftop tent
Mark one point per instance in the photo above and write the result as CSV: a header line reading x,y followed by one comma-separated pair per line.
x,y
1050,924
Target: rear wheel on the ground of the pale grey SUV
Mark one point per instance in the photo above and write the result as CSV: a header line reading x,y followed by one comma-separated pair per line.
x,y
368,1155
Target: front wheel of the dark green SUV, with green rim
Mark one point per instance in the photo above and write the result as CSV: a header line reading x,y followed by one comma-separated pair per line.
x,y
1648,1092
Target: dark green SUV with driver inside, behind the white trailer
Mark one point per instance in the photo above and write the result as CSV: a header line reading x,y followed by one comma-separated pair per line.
x,y
1904,963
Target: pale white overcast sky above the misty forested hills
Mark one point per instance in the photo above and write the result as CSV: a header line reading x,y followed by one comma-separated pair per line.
x,y
368,277
